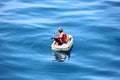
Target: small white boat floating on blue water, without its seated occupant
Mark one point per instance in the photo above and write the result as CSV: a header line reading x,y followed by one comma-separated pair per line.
x,y
64,47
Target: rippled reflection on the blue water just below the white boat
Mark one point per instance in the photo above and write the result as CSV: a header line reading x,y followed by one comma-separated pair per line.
x,y
61,56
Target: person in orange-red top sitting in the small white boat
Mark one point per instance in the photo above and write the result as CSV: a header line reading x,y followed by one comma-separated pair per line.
x,y
61,38
